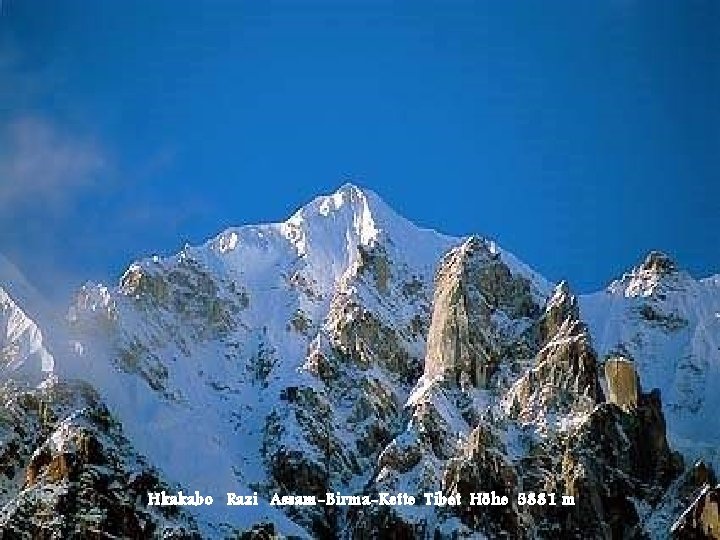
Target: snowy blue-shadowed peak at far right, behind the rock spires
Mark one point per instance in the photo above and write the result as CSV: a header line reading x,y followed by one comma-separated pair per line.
x,y
669,323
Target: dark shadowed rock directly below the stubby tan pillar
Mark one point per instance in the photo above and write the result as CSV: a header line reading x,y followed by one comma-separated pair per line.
x,y
615,458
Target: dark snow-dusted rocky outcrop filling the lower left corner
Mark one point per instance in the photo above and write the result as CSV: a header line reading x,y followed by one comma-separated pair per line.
x,y
81,479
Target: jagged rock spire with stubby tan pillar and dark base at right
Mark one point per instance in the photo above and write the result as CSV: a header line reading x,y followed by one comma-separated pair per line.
x,y
610,454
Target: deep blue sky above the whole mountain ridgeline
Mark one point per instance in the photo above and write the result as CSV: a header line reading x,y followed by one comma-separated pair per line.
x,y
580,135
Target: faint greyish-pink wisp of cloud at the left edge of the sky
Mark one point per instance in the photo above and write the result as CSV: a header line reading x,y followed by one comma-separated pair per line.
x,y
39,162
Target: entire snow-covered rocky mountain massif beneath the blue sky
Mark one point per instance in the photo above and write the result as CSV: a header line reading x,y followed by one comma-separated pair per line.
x,y
347,350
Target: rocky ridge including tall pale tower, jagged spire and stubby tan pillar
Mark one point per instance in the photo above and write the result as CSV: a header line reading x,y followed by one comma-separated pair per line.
x,y
566,440
